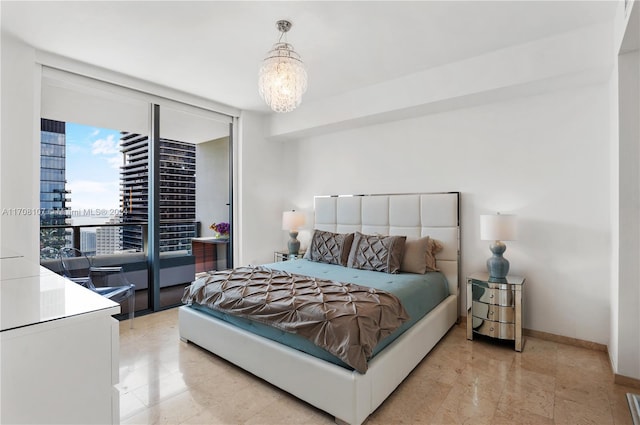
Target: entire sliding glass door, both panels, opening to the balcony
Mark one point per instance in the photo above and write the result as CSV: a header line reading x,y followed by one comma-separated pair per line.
x,y
137,181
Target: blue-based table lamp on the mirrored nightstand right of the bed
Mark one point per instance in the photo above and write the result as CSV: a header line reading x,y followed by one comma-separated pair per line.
x,y
498,228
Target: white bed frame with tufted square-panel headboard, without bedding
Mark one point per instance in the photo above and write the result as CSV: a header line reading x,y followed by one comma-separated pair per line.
x,y
348,395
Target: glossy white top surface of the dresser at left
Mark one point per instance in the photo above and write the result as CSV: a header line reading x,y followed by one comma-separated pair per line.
x,y
32,294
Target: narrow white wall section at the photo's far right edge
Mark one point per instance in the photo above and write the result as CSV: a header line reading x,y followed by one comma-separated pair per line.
x,y
624,343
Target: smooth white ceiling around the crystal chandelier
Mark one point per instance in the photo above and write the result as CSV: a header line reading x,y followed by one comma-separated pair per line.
x,y
213,49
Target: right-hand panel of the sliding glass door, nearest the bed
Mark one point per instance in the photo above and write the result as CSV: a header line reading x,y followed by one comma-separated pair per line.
x,y
193,198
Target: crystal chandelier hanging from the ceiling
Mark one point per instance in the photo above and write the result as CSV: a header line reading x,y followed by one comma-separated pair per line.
x,y
283,77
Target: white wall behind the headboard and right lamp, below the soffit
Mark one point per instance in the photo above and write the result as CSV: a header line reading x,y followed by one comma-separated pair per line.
x,y
544,158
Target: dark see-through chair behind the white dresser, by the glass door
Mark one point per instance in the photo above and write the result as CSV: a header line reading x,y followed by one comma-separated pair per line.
x,y
112,282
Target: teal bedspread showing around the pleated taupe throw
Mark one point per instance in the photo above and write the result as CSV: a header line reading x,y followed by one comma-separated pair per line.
x,y
419,294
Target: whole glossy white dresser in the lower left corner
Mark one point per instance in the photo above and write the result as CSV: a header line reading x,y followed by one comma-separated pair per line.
x,y
58,349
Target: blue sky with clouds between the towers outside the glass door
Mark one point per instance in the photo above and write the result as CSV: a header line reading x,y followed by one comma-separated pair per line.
x,y
92,167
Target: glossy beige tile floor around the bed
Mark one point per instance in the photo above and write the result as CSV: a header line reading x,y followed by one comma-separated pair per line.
x,y
166,381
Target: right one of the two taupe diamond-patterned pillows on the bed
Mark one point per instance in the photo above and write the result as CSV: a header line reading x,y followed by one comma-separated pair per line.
x,y
377,253
